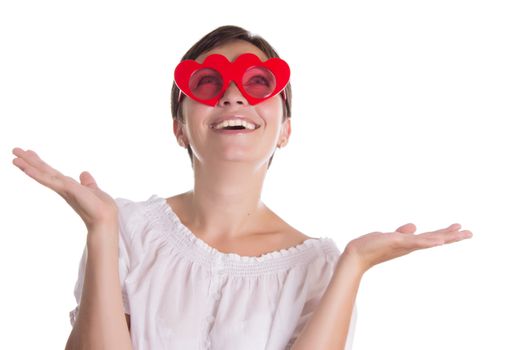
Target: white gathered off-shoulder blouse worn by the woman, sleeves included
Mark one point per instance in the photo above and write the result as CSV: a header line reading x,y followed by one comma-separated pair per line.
x,y
182,293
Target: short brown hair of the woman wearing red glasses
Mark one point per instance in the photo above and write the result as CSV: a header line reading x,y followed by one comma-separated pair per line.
x,y
217,37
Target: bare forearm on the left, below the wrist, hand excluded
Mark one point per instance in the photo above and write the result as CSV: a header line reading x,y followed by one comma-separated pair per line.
x,y
100,322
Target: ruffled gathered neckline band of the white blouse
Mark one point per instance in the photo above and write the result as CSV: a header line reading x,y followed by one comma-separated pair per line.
x,y
282,253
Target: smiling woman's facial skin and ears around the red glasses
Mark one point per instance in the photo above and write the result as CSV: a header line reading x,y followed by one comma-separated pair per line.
x,y
212,146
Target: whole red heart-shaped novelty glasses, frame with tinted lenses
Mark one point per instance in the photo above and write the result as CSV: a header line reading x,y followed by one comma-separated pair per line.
x,y
256,80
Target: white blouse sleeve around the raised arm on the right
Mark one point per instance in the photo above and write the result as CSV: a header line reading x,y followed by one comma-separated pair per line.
x,y
321,272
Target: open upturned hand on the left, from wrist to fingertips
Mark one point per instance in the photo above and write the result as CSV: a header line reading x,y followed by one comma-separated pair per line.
x,y
96,208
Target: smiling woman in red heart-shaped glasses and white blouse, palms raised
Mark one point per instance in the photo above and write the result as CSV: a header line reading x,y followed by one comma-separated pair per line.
x,y
214,267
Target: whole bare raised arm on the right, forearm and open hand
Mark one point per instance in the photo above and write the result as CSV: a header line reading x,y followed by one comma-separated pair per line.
x,y
329,324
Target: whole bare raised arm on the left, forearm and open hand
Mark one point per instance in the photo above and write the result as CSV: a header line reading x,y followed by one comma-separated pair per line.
x,y
100,323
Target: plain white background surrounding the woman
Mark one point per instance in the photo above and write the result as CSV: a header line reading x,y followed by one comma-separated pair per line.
x,y
403,111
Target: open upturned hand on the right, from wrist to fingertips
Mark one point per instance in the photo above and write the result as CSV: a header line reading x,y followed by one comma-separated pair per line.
x,y
377,247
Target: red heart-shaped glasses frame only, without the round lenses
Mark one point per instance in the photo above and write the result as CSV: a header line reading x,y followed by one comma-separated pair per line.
x,y
231,71
